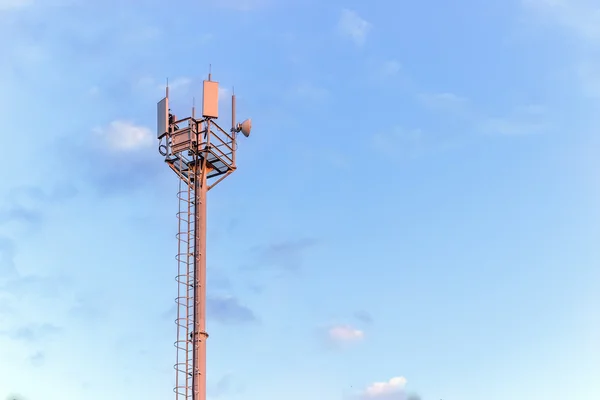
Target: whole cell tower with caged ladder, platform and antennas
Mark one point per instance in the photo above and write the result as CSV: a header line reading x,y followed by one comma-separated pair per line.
x,y
202,154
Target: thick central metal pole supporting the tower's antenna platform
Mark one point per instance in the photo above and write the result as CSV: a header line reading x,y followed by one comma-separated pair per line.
x,y
200,335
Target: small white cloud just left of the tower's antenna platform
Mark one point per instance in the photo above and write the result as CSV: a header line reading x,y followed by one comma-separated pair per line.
x,y
125,136
